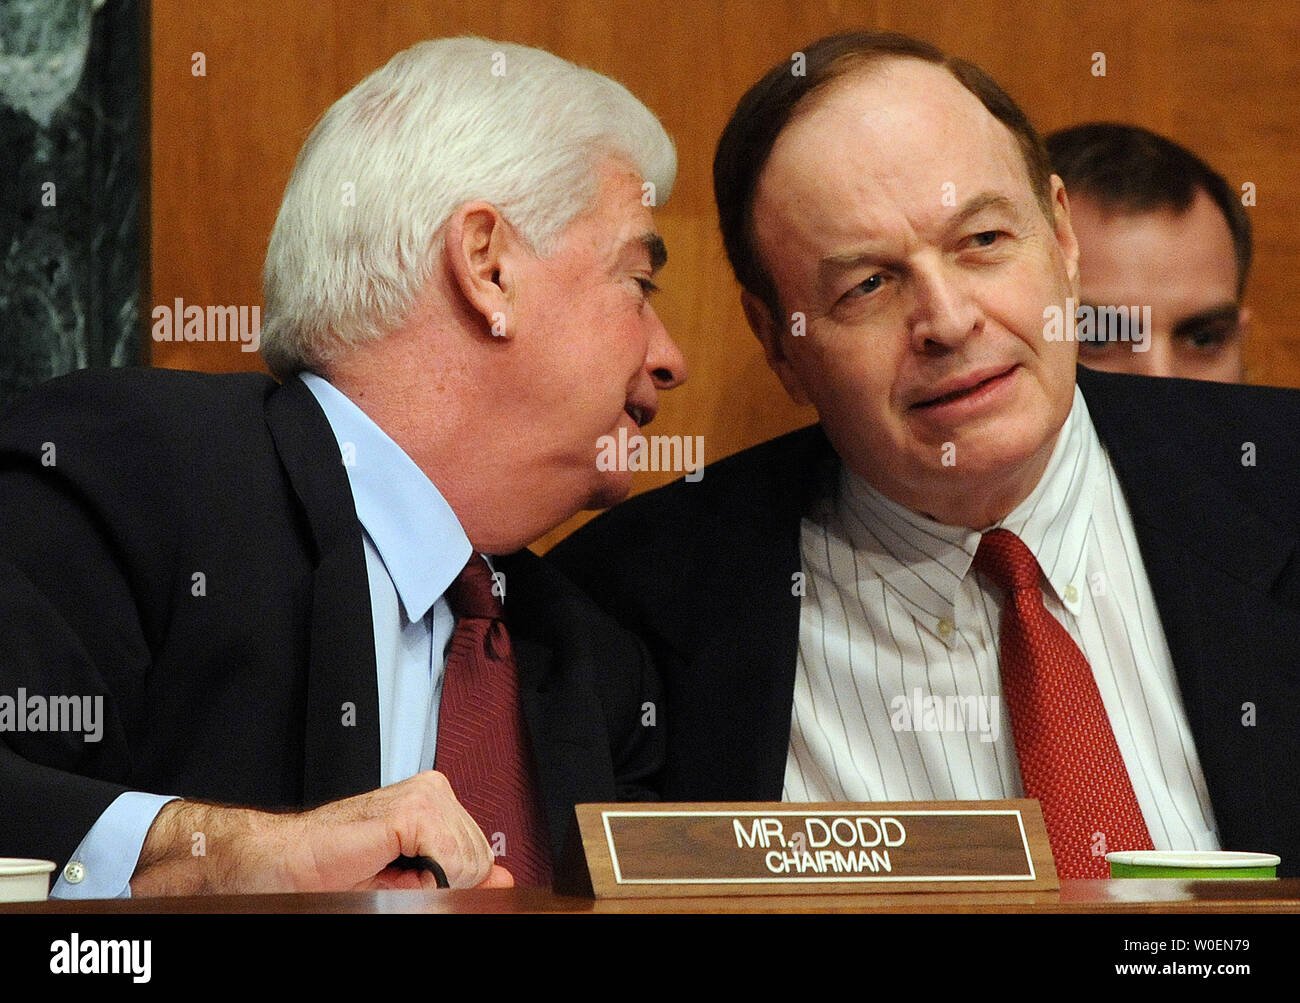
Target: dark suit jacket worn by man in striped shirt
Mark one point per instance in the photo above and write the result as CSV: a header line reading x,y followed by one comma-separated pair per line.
x,y
704,574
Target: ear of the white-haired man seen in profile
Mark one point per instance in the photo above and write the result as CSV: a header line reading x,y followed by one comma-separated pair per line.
x,y
480,250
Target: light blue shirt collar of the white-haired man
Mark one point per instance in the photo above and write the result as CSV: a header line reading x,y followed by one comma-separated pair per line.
x,y
410,523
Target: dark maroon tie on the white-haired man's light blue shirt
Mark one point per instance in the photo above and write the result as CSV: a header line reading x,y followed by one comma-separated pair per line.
x,y
482,745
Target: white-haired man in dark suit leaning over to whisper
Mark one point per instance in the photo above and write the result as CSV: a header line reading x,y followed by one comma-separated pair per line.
x,y
240,619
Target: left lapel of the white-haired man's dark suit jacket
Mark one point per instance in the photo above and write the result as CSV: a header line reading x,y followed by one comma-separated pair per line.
x,y
343,720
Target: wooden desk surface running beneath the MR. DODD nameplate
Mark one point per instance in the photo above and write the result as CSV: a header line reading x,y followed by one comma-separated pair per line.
x,y
1074,897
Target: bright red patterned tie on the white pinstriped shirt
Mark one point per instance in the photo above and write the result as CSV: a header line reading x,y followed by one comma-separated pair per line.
x,y
1069,758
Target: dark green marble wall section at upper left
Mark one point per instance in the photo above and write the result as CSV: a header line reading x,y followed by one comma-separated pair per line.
x,y
71,183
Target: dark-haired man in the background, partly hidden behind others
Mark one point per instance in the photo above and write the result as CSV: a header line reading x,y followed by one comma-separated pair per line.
x,y
1158,228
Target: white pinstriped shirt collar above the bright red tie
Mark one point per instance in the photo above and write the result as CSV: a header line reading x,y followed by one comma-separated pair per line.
x,y
924,563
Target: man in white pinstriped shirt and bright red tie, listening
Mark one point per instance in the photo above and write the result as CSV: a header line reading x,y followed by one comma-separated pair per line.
x,y
817,602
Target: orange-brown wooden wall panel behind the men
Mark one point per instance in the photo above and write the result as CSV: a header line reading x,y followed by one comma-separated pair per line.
x,y
1221,77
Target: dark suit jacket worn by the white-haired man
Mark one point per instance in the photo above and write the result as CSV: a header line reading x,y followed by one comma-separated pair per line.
x,y
118,490
